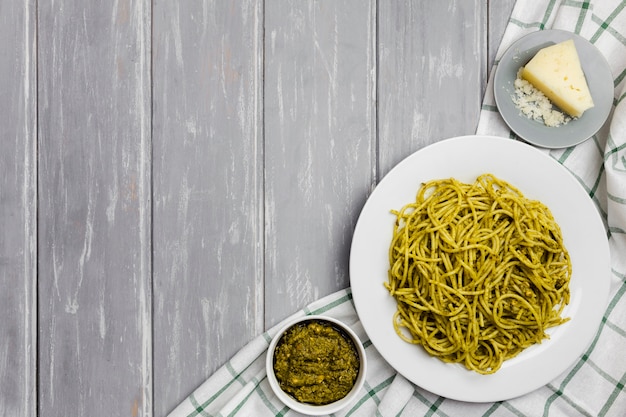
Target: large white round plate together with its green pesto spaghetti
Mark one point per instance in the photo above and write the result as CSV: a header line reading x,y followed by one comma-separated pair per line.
x,y
479,268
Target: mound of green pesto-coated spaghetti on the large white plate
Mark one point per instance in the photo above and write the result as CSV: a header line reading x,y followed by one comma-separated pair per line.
x,y
478,271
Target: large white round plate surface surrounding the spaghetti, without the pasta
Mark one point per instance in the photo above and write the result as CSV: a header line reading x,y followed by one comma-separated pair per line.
x,y
539,177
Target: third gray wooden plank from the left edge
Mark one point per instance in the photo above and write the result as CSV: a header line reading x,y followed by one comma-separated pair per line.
x,y
208,213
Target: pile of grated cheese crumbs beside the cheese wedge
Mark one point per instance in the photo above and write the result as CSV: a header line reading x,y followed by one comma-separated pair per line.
x,y
535,105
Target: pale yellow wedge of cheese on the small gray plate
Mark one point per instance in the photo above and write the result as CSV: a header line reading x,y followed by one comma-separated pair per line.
x,y
556,72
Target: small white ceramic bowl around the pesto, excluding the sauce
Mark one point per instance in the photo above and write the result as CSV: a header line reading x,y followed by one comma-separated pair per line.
x,y
310,409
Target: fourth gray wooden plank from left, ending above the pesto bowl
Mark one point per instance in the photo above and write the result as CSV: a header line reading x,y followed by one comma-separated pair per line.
x,y
320,129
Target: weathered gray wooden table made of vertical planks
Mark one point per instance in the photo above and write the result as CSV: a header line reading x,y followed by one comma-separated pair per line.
x,y
178,176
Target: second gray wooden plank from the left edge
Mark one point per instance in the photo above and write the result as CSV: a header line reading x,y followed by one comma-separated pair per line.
x,y
94,218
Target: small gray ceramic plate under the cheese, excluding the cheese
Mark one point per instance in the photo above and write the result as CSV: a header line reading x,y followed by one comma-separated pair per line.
x,y
599,79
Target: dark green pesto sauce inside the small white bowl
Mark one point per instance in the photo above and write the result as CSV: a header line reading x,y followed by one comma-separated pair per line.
x,y
316,363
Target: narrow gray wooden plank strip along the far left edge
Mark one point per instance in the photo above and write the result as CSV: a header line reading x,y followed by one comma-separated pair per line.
x,y
18,210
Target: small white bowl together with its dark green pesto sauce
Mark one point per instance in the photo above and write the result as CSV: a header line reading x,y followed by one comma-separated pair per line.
x,y
316,365
